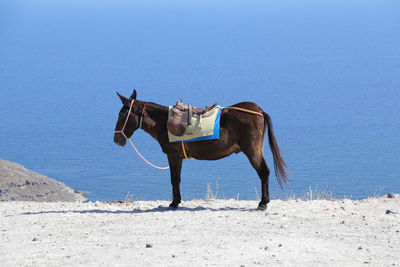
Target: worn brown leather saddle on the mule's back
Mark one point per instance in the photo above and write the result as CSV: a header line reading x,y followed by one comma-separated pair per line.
x,y
182,114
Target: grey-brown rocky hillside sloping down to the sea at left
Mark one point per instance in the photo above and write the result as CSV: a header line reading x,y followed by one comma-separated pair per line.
x,y
20,184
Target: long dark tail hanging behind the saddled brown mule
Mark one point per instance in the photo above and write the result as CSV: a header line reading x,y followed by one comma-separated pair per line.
x,y
279,164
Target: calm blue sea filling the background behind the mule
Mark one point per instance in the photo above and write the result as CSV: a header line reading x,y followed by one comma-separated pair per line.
x,y
327,72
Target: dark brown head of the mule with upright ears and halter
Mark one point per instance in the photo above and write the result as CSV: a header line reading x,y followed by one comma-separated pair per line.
x,y
128,119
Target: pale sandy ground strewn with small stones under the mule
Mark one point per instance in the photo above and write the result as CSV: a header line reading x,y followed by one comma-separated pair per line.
x,y
200,233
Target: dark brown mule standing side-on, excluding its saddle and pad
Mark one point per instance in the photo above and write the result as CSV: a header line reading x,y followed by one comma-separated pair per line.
x,y
240,131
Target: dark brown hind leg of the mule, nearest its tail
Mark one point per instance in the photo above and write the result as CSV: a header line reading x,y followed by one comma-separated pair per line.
x,y
257,160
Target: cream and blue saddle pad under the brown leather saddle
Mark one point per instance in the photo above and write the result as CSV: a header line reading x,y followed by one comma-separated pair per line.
x,y
200,129
